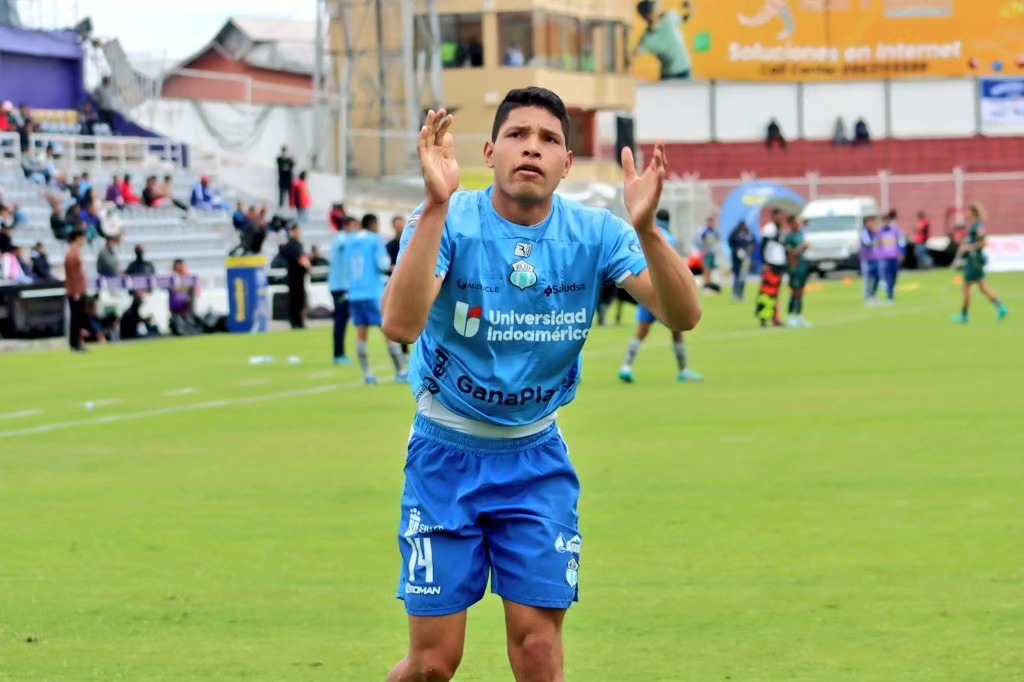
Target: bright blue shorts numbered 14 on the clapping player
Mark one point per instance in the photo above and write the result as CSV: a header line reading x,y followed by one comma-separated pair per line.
x,y
475,508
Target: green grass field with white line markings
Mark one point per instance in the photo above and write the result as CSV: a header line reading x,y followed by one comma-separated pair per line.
x,y
840,503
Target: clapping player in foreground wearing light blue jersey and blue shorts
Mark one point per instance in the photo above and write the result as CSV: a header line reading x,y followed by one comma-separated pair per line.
x,y
498,289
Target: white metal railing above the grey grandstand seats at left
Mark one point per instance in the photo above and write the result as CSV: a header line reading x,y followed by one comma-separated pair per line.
x,y
95,152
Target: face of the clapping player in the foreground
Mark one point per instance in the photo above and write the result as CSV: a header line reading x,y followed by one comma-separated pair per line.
x,y
529,156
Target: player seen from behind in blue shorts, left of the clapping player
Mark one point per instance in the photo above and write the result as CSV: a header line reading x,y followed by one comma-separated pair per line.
x,y
366,262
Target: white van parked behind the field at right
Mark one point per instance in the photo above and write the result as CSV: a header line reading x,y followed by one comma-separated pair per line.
x,y
833,231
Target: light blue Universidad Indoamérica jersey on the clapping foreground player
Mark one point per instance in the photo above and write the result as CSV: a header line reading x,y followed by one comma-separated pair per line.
x,y
504,338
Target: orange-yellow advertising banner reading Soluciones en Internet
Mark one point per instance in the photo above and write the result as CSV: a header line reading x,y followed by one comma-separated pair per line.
x,y
827,40
